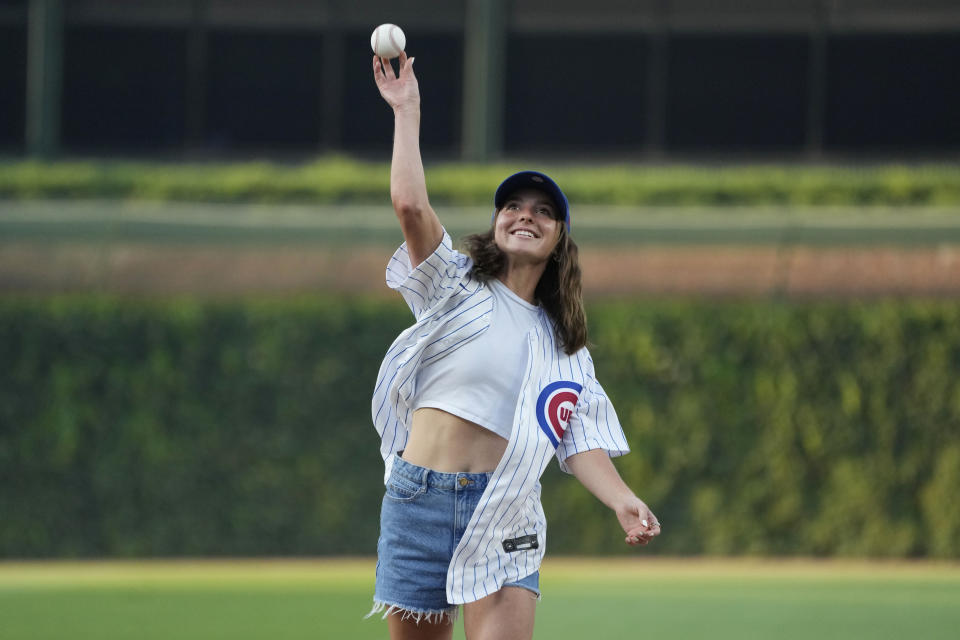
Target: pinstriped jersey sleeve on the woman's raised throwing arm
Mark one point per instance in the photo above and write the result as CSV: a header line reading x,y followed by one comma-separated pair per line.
x,y
432,280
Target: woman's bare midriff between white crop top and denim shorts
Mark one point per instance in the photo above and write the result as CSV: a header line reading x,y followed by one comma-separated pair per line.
x,y
444,442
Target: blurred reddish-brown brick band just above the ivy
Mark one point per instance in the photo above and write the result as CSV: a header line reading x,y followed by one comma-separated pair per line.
x,y
736,271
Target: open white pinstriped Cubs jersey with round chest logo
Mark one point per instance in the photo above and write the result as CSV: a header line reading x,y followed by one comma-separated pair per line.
x,y
561,410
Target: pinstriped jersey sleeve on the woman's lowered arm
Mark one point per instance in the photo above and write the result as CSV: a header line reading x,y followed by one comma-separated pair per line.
x,y
594,424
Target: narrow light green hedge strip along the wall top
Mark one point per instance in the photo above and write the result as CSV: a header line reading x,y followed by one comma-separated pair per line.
x,y
342,180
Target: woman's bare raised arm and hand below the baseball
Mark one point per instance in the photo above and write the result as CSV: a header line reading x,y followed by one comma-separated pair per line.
x,y
408,188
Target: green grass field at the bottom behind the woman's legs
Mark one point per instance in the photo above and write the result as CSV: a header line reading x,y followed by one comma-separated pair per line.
x,y
593,599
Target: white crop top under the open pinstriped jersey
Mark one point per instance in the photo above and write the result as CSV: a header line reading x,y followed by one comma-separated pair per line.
x,y
481,380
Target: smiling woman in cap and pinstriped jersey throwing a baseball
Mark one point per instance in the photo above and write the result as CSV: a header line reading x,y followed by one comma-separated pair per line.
x,y
473,399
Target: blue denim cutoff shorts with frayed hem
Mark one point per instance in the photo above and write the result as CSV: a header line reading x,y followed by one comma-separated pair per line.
x,y
423,517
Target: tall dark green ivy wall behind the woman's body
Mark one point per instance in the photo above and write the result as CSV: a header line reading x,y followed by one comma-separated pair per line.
x,y
185,428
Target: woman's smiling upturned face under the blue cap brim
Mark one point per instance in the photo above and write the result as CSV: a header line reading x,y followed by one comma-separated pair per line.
x,y
526,228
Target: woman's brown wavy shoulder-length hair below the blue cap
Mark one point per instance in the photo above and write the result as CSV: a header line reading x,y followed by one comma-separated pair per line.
x,y
559,292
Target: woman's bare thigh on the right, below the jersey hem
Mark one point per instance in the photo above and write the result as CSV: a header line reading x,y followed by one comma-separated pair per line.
x,y
504,615
